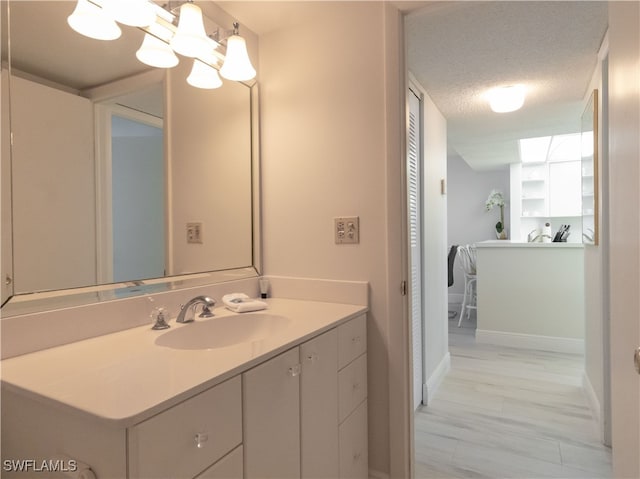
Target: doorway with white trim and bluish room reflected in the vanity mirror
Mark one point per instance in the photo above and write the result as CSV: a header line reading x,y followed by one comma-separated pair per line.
x,y
132,192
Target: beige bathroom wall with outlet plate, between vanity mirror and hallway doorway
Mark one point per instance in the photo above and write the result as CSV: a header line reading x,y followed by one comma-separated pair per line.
x,y
331,119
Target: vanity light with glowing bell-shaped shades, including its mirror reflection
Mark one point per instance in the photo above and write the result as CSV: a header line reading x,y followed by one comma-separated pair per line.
x,y
163,39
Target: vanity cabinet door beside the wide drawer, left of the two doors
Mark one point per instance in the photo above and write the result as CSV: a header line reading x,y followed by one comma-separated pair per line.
x,y
271,405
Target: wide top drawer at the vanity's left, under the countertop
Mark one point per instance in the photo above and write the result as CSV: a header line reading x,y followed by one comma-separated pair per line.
x,y
166,446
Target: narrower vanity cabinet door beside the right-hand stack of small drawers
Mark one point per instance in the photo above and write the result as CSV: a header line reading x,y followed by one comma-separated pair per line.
x,y
319,406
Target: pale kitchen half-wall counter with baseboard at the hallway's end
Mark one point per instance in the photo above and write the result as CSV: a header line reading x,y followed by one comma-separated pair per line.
x,y
531,295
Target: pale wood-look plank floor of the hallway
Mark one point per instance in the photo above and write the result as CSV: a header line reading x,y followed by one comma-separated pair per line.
x,y
504,413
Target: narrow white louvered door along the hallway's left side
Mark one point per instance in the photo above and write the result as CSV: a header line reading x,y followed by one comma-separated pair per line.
x,y
414,198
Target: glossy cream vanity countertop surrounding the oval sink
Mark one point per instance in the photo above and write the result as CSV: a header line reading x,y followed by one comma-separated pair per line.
x,y
124,377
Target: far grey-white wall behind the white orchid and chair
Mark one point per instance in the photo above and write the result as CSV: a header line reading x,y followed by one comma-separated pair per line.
x,y
468,220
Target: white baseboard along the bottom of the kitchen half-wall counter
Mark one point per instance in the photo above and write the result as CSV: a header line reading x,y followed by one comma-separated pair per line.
x,y
531,341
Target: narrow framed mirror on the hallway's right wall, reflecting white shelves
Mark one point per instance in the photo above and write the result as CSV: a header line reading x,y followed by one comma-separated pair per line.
x,y
590,173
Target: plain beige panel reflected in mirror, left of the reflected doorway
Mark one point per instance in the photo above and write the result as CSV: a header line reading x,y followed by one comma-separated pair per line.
x,y
53,222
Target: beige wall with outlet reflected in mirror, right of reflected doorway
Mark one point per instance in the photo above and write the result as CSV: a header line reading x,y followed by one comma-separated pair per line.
x,y
209,145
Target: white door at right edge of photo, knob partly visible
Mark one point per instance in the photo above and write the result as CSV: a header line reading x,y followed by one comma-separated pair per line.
x,y
624,193
